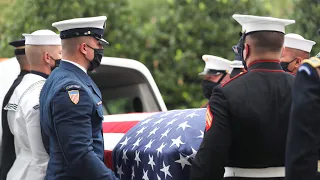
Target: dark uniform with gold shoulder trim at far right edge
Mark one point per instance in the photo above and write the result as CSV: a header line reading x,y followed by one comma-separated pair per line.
x,y
303,134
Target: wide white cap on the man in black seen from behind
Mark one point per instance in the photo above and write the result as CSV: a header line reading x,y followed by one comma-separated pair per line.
x,y
259,23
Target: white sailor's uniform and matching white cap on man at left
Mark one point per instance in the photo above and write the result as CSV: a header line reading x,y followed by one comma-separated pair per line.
x,y
23,118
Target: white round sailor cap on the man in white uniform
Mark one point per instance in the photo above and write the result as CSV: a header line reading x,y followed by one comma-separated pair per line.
x,y
42,37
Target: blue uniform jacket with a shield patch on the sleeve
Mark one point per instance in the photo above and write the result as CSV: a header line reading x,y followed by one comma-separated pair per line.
x,y
71,120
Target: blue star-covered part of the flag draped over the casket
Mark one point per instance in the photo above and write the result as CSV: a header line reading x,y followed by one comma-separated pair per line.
x,y
161,146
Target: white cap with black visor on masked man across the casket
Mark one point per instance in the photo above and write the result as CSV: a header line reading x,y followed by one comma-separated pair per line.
x,y
215,65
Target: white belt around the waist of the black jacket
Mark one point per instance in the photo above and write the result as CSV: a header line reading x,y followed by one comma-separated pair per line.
x,y
255,173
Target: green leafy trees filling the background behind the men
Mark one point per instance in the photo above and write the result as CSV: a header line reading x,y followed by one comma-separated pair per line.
x,y
168,36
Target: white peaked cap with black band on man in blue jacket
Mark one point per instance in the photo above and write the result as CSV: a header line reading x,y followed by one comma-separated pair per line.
x,y
91,26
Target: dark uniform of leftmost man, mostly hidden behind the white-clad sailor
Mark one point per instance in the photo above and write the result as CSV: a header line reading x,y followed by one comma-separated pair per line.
x,y
8,155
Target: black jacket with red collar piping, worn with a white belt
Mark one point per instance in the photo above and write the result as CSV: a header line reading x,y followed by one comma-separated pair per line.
x,y
249,124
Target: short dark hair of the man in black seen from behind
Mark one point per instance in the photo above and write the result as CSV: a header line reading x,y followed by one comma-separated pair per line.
x,y
265,41
